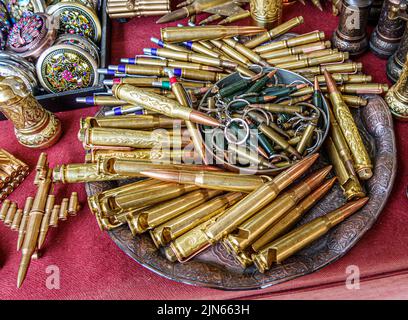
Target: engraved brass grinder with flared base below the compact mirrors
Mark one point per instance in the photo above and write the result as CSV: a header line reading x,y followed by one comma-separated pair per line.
x,y
42,129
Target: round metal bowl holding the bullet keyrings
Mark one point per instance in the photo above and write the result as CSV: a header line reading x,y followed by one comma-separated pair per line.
x,y
284,77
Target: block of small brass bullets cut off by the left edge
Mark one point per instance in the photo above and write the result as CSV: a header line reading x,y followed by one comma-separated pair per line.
x,y
12,173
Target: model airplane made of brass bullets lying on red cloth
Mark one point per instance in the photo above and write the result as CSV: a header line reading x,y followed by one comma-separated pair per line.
x,y
39,213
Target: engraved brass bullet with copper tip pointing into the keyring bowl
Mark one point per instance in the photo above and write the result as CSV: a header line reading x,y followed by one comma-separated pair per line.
x,y
155,102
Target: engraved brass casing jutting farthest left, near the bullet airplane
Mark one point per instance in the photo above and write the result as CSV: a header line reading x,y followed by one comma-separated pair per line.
x,y
81,173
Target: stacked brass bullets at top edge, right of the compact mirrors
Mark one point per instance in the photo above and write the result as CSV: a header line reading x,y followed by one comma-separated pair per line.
x,y
124,9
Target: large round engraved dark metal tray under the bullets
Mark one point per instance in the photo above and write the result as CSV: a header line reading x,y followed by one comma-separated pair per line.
x,y
216,268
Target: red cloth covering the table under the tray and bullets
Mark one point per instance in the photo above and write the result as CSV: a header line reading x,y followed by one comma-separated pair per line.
x,y
92,267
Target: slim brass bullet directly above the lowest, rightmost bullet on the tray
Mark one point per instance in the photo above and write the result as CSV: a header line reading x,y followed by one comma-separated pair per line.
x,y
293,216
